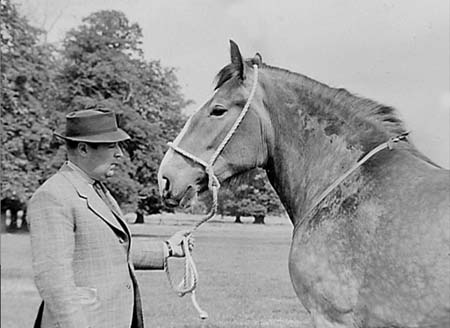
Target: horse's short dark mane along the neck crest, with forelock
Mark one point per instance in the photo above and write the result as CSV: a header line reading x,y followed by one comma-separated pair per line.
x,y
337,106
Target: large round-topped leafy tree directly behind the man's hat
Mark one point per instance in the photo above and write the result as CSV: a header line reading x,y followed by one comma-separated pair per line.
x,y
104,67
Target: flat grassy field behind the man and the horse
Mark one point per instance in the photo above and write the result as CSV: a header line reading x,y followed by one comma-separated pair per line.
x,y
243,277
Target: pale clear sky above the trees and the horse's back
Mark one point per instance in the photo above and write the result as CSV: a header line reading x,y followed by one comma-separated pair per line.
x,y
396,52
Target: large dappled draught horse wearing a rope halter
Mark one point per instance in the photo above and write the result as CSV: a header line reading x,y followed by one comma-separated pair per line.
x,y
373,251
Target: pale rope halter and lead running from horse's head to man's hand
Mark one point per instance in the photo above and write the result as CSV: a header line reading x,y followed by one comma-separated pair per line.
x,y
190,278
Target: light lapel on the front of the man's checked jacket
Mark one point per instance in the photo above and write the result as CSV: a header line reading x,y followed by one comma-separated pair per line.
x,y
93,200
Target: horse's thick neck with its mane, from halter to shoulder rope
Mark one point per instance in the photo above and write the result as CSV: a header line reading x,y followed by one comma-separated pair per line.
x,y
321,132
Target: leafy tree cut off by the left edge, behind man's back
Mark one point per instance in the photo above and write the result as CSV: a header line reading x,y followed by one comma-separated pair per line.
x,y
28,91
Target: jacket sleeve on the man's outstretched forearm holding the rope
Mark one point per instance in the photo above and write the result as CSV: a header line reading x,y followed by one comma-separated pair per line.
x,y
147,254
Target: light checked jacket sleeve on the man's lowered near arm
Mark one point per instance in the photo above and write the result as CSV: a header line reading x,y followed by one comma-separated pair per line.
x,y
52,245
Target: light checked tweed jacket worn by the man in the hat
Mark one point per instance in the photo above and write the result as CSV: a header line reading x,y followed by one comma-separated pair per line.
x,y
82,259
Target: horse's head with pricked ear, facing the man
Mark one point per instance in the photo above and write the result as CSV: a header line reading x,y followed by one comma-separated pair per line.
x,y
180,177
